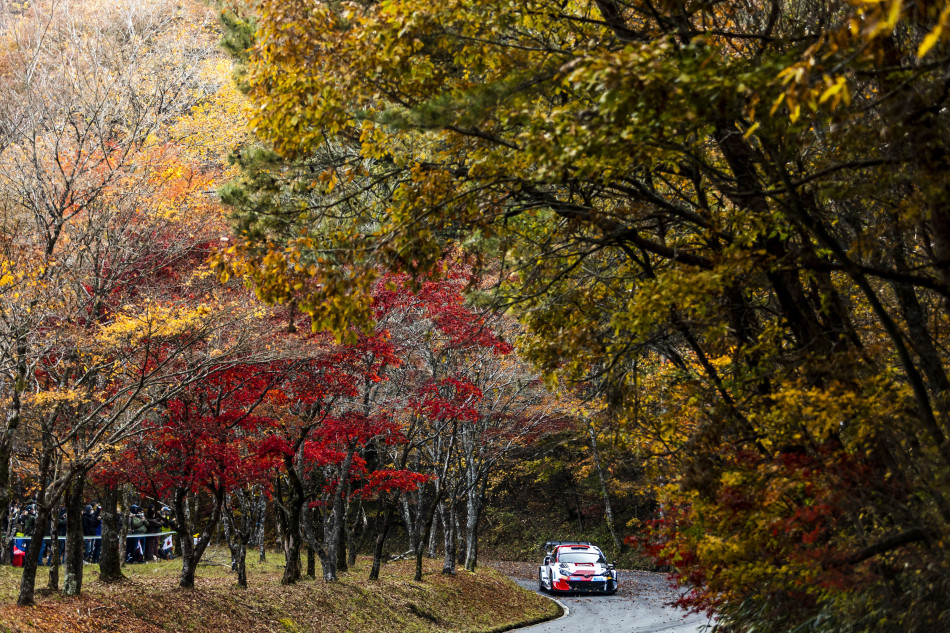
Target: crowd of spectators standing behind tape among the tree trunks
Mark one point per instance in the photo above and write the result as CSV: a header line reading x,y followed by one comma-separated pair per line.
x,y
149,533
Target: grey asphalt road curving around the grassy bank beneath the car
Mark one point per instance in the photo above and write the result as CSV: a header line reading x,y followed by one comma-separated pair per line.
x,y
637,608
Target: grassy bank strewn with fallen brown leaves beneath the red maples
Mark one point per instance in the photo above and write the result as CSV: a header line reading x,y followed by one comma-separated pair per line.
x,y
150,601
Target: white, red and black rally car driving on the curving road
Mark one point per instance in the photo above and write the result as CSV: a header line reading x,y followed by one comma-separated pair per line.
x,y
576,567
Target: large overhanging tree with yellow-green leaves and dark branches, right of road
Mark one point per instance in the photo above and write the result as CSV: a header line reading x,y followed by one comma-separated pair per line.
x,y
744,204
